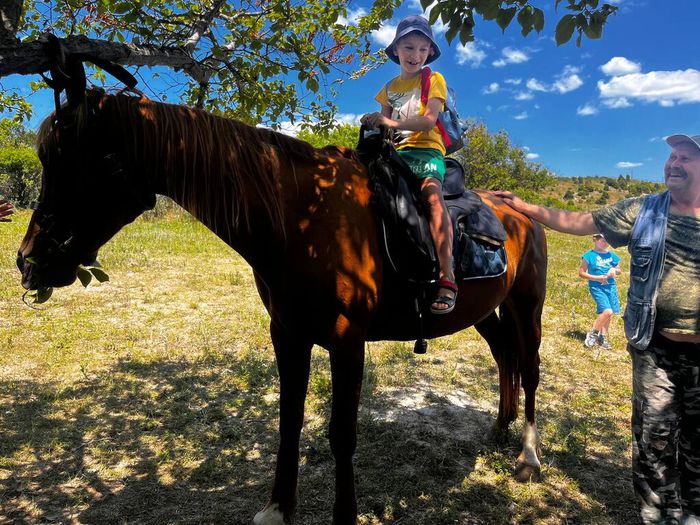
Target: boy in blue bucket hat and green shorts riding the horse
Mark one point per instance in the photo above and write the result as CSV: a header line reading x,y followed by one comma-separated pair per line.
x,y
417,138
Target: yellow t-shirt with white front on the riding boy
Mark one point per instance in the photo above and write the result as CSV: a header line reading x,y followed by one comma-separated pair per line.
x,y
403,96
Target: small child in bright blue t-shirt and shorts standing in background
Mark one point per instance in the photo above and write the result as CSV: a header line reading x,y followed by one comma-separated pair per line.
x,y
600,266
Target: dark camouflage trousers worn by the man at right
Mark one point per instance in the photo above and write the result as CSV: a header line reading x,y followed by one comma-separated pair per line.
x,y
666,432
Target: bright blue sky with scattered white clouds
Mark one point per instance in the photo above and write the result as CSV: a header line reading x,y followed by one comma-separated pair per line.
x,y
601,109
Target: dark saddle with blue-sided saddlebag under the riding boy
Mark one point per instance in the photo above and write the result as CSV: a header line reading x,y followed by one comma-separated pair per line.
x,y
478,250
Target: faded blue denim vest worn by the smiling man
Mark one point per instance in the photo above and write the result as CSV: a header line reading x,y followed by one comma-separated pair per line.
x,y
647,248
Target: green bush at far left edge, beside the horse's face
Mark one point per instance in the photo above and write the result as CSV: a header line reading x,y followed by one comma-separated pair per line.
x,y
20,169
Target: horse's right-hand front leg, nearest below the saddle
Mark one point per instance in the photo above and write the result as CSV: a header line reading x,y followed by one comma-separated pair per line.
x,y
347,363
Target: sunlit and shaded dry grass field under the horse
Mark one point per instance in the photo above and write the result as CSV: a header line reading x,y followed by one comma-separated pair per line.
x,y
152,399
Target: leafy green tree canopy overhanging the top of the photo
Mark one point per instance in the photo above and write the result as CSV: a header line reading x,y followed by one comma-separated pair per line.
x,y
257,60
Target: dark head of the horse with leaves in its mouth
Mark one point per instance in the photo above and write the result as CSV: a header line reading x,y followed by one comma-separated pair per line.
x,y
88,192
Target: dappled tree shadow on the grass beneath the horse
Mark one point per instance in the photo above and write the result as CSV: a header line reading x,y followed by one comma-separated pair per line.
x,y
194,442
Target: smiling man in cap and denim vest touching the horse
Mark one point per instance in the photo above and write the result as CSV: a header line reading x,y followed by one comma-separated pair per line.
x,y
662,325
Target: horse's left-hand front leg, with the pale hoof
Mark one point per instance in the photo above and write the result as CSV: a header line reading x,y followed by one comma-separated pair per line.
x,y
293,363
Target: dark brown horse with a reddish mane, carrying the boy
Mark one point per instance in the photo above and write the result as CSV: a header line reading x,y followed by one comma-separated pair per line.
x,y
301,217
